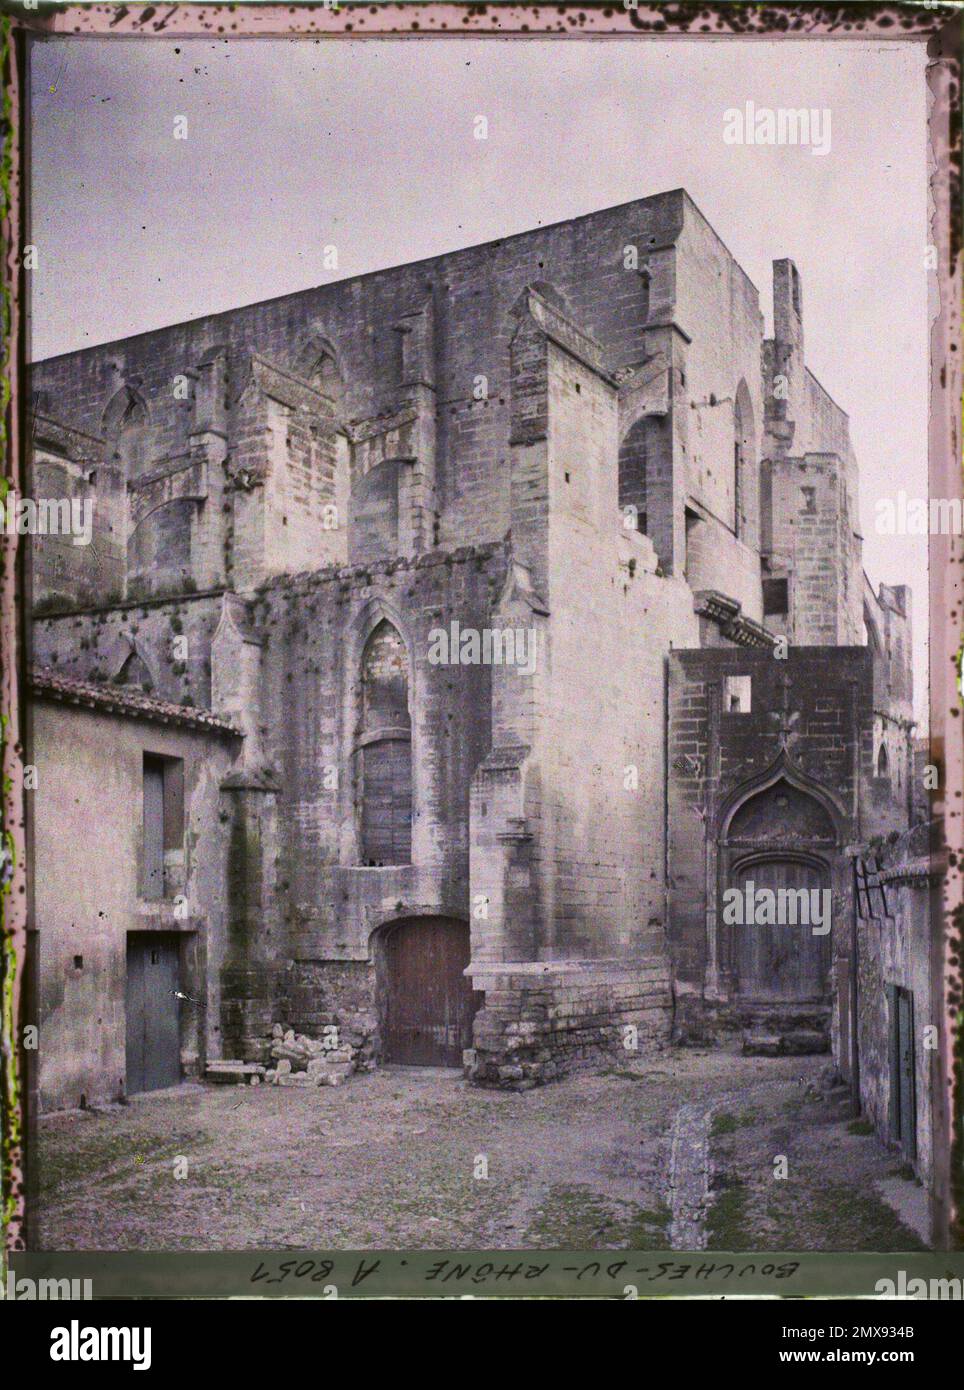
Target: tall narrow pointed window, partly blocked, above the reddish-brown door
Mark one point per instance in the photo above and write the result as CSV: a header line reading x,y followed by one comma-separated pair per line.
x,y
384,751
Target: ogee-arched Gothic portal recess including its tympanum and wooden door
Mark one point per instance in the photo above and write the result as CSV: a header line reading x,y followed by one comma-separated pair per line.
x,y
779,849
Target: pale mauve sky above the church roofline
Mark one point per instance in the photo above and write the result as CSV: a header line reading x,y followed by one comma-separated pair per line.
x,y
297,145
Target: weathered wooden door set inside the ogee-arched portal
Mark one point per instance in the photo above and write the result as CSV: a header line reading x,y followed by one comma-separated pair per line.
x,y
779,963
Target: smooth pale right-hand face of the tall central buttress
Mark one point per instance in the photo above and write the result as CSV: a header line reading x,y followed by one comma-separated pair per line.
x,y
599,747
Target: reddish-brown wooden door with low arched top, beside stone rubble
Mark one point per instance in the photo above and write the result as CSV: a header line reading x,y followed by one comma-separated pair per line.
x,y
426,1003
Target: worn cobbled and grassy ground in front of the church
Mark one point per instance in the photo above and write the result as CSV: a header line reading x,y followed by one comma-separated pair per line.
x,y
391,1161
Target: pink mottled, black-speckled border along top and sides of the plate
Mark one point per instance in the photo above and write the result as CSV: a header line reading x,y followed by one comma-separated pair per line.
x,y
936,26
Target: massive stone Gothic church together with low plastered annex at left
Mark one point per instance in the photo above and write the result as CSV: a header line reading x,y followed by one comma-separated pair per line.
x,y
452,639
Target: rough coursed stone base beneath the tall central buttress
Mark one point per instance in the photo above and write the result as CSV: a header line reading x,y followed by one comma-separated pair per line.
x,y
541,1022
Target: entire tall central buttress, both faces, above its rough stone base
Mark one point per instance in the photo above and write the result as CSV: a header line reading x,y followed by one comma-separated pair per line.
x,y
567,846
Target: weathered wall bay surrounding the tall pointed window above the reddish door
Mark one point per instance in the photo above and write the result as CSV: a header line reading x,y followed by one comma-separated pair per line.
x,y
315,632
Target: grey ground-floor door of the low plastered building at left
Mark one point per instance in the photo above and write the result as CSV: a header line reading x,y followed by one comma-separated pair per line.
x,y
153,1014
